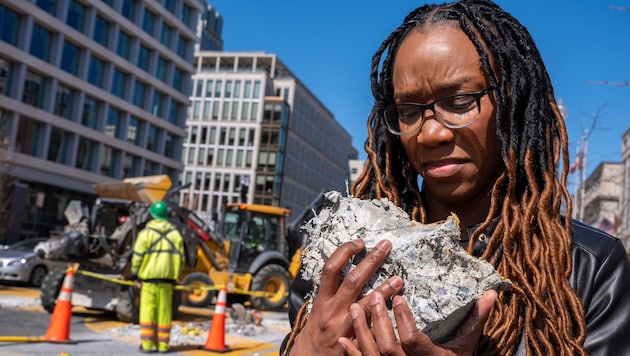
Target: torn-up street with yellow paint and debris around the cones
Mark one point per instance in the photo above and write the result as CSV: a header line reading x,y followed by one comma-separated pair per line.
x,y
99,333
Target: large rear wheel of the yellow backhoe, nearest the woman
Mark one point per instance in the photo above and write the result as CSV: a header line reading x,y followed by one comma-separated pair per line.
x,y
272,279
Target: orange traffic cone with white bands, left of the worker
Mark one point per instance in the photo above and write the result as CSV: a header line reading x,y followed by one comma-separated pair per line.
x,y
59,328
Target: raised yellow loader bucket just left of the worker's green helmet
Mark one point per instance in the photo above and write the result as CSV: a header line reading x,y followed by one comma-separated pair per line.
x,y
147,189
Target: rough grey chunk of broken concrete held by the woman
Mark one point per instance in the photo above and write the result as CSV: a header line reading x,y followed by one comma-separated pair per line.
x,y
442,281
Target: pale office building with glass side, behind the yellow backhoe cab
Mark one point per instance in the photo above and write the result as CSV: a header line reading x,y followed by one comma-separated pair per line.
x,y
256,134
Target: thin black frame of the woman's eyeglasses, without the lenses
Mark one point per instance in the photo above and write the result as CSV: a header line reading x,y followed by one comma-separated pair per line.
x,y
431,106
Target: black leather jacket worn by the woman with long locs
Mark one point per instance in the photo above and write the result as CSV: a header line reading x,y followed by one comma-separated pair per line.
x,y
600,275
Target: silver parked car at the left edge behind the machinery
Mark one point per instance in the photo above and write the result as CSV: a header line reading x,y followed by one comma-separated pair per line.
x,y
19,263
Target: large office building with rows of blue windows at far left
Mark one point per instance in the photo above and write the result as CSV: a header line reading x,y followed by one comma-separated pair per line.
x,y
91,92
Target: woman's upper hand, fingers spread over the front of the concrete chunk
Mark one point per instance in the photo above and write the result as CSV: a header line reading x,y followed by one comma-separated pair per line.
x,y
330,315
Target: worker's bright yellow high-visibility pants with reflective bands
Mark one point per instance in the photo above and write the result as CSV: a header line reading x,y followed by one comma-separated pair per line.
x,y
156,301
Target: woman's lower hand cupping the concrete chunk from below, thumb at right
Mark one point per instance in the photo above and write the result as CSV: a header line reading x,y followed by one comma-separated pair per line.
x,y
381,340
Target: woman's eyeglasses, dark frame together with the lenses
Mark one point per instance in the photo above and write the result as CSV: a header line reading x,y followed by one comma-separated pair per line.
x,y
453,111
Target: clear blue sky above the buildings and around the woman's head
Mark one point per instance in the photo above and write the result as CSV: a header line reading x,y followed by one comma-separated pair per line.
x,y
328,44
